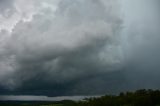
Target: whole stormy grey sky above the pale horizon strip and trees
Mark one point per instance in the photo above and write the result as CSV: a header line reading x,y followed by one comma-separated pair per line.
x,y
78,47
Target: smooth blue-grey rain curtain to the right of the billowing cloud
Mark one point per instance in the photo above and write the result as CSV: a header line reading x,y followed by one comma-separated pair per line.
x,y
142,45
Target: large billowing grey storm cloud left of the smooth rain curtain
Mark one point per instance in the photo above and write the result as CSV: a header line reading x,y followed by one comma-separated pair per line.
x,y
62,43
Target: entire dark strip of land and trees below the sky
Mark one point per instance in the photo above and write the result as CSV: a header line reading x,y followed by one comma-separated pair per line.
x,y
138,98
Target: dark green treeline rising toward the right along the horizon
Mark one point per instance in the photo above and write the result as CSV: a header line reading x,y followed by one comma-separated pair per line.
x,y
138,98
